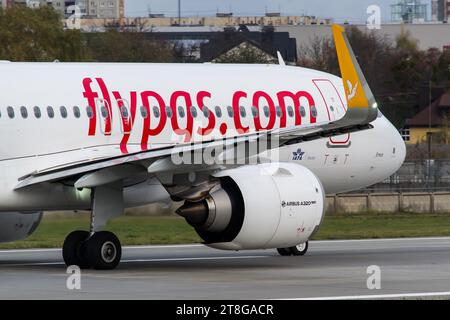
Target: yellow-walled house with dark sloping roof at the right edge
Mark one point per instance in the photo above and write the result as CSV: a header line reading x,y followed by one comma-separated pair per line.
x,y
434,119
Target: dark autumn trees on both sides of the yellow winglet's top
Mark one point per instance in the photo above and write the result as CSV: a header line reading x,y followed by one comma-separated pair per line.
x,y
395,70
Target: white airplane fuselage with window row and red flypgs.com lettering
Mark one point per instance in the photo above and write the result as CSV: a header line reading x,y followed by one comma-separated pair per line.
x,y
56,114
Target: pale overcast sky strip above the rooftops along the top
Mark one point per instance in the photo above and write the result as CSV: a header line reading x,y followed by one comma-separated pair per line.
x,y
340,10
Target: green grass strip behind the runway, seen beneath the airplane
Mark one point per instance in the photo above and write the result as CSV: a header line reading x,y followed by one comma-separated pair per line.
x,y
137,230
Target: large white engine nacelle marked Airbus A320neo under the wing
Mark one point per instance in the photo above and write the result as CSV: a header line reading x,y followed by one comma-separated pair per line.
x,y
259,207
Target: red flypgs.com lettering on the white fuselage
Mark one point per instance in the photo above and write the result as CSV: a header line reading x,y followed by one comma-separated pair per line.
x,y
95,89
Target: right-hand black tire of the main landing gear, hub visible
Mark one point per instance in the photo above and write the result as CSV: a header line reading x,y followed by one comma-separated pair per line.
x,y
103,250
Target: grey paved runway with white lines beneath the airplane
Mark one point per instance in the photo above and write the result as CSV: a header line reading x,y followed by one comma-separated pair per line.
x,y
410,268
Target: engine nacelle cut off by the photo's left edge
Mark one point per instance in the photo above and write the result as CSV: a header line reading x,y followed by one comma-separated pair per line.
x,y
16,226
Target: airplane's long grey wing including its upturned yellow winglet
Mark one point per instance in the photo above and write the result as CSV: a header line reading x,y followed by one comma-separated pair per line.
x,y
362,110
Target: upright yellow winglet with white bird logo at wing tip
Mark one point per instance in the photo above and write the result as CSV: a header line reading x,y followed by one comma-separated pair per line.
x,y
359,95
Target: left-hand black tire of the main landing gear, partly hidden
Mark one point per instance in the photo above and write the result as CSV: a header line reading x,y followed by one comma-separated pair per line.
x,y
74,248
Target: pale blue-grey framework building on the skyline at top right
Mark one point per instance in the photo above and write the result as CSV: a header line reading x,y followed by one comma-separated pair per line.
x,y
409,11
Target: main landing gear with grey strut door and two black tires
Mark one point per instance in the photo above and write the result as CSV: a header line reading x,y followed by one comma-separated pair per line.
x,y
97,249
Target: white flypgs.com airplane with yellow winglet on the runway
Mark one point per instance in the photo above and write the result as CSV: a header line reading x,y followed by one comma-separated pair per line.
x,y
251,150
